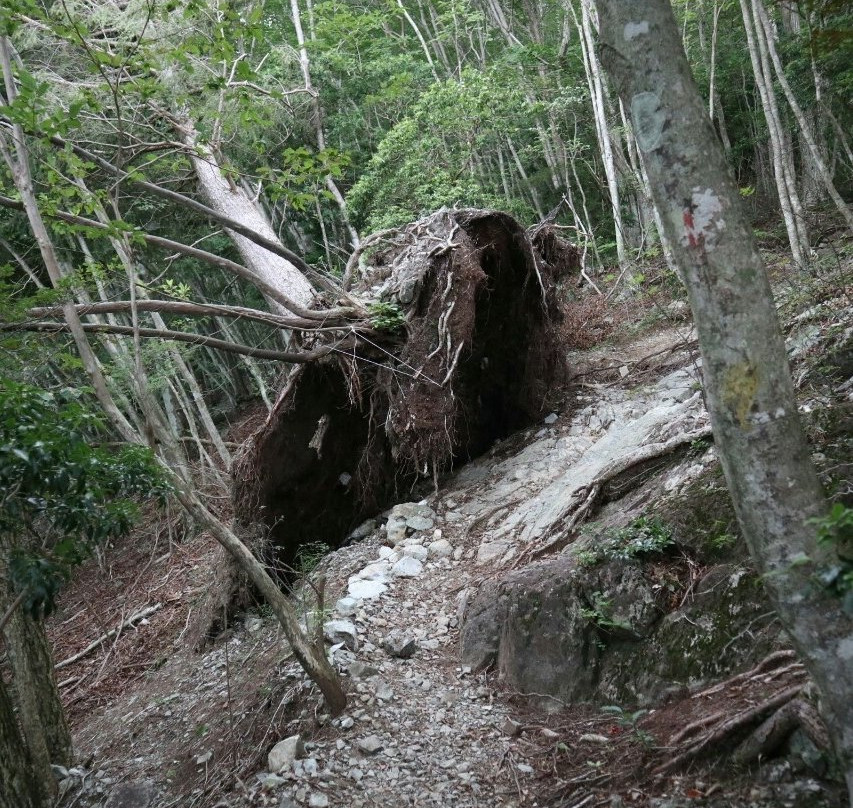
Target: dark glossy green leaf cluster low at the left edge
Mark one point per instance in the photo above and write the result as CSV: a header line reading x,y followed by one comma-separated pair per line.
x,y
61,495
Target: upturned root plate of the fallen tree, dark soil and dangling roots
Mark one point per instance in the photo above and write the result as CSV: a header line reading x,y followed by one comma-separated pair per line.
x,y
473,356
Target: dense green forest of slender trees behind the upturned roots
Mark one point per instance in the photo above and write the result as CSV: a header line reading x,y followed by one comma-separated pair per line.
x,y
340,119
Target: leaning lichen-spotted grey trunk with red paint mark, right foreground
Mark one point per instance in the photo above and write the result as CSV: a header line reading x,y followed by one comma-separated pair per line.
x,y
750,395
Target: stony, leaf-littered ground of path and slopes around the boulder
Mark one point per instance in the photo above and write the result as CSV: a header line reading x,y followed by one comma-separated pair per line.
x,y
157,724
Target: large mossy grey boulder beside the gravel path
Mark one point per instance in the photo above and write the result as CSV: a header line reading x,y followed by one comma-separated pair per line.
x,y
601,633
